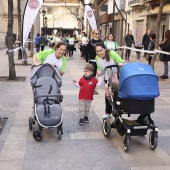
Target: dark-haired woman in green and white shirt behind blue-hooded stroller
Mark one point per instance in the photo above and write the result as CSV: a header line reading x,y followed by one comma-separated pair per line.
x,y
103,59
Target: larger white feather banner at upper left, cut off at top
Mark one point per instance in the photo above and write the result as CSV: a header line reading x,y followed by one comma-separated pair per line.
x,y
32,8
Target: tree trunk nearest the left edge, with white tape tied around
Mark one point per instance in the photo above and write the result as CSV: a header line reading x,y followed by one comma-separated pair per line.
x,y
12,72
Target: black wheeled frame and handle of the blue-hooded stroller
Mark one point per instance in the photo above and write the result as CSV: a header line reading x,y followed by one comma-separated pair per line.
x,y
116,121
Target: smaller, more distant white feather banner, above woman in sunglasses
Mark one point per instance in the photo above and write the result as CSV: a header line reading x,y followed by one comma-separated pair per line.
x,y
91,17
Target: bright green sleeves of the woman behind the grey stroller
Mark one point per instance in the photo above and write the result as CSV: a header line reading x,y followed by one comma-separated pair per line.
x,y
41,56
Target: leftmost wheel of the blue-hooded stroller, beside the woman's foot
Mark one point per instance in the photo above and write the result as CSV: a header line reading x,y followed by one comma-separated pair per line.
x,y
106,127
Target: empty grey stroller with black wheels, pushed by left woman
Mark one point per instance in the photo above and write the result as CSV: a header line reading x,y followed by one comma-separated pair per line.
x,y
46,83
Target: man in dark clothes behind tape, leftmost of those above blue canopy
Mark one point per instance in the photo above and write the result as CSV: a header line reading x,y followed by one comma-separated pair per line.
x,y
129,40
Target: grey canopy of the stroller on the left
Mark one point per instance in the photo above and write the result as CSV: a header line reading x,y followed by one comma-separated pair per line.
x,y
45,70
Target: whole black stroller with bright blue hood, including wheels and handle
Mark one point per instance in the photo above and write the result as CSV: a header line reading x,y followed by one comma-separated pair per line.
x,y
136,93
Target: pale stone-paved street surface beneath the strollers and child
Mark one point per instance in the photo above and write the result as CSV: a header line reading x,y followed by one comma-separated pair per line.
x,y
81,148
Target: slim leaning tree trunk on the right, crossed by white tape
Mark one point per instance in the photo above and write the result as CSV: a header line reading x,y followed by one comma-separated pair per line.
x,y
158,23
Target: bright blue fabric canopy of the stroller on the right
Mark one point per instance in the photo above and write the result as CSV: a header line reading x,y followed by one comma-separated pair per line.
x,y
138,81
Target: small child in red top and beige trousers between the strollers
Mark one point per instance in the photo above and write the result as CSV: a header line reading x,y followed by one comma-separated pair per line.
x,y
87,85
